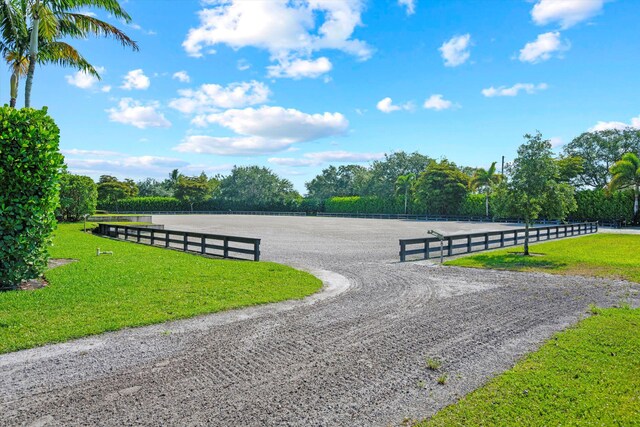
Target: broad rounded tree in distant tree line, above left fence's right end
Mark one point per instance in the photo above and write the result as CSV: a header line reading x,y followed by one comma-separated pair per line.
x,y
255,187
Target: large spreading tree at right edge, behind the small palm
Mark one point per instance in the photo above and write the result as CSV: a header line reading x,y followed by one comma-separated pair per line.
x,y
599,151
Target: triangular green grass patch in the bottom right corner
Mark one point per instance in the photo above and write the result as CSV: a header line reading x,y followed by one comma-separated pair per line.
x,y
587,375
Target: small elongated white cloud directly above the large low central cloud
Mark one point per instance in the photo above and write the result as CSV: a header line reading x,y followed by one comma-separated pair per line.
x,y
212,97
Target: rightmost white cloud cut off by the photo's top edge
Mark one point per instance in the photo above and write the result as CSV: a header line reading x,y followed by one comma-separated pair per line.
x,y
565,12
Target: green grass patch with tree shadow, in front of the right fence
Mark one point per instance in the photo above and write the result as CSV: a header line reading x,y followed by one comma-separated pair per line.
x,y
600,255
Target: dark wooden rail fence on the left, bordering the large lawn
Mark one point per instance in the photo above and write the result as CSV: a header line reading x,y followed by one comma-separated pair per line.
x,y
204,244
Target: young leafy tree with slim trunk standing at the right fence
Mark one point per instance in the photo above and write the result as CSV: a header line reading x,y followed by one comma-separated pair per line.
x,y
533,187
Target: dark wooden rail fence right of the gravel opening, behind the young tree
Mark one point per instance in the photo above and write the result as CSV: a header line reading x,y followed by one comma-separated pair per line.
x,y
458,244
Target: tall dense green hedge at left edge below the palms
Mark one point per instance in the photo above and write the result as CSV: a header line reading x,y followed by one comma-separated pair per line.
x,y
30,166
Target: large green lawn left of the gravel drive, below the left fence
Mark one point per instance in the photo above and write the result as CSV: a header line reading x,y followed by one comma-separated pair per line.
x,y
138,285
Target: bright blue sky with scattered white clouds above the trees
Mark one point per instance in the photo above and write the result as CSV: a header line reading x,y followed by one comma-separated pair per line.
x,y
298,85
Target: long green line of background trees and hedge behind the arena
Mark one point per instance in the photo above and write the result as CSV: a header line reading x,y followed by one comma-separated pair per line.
x,y
597,169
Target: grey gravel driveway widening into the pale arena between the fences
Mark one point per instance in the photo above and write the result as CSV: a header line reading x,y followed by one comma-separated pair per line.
x,y
352,355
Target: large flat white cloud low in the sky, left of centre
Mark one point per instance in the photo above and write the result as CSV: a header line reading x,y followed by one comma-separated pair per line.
x,y
263,130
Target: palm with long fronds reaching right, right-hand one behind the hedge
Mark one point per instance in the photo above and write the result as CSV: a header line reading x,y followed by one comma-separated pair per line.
x,y
52,20
